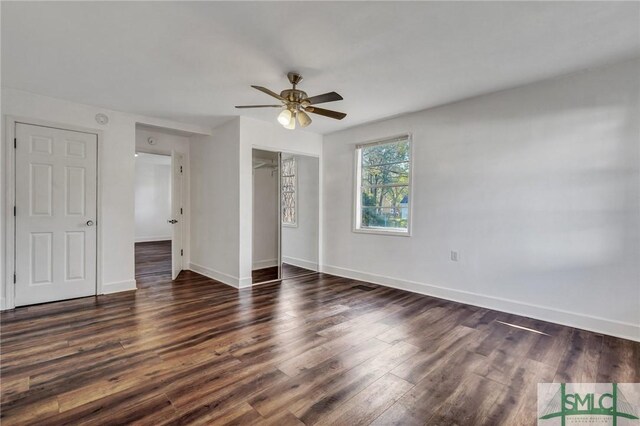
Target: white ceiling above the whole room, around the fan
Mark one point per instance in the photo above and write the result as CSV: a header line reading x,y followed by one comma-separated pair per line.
x,y
193,61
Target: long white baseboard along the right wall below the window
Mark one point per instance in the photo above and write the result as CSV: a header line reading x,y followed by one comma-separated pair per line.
x,y
571,319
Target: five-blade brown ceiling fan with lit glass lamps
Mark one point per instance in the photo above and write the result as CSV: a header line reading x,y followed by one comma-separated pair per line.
x,y
296,104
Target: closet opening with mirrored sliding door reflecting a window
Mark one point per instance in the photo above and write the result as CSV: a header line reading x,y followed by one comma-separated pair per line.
x,y
285,215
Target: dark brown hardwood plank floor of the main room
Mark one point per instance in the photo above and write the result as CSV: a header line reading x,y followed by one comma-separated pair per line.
x,y
313,350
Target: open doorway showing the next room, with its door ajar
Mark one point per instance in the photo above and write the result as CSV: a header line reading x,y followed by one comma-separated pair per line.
x,y
158,199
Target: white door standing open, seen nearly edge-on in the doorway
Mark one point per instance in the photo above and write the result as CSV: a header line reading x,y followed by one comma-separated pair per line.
x,y
177,214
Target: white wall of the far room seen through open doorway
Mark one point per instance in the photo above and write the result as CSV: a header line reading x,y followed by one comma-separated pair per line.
x,y
152,200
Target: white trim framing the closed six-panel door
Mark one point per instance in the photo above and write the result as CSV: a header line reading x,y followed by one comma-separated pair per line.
x,y
8,296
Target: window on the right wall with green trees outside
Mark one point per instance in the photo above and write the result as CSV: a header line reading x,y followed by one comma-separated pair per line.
x,y
383,192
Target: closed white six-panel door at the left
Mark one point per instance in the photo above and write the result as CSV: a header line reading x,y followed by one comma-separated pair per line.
x,y
56,194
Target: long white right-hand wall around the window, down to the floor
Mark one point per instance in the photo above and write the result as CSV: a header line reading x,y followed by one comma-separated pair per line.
x,y
537,188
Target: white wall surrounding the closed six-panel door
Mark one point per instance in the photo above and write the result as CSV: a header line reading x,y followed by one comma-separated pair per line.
x,y
116,174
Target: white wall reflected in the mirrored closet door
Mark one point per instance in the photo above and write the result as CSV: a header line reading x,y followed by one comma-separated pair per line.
x,y
300,242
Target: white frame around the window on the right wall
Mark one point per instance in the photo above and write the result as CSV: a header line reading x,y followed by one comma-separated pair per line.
x,y
357,198
